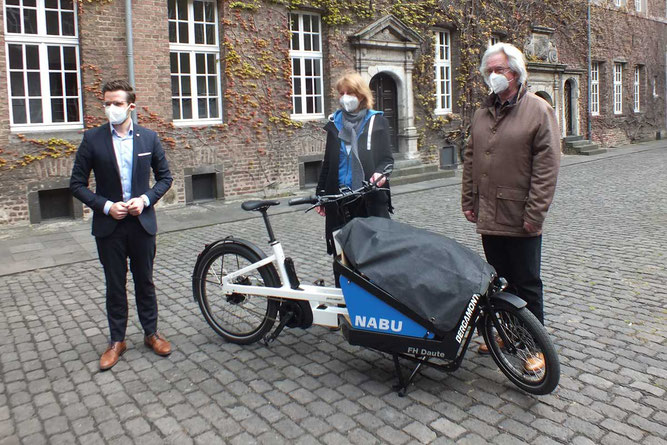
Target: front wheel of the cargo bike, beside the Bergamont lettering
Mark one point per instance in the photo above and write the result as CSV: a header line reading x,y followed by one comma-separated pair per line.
x,y
529,338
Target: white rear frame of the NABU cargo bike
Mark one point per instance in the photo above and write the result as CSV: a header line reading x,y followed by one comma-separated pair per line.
x,y
324,301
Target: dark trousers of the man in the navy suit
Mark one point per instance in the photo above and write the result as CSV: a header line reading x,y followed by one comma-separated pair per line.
x,y
129,240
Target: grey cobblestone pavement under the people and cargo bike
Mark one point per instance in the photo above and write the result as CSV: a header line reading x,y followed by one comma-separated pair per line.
x,y
604,269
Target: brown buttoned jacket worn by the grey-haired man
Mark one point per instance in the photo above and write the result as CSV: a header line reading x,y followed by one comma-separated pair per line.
x,y
511,164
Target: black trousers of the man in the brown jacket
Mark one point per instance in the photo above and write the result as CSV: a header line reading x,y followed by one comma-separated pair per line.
x,y
518,260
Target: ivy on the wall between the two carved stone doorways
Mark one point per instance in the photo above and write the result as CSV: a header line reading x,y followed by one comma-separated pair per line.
x,y
473,23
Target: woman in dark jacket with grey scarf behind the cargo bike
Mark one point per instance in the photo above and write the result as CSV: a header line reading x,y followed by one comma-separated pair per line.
x,y
358,149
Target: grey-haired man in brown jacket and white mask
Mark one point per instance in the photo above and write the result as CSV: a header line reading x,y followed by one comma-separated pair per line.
x,y
509,176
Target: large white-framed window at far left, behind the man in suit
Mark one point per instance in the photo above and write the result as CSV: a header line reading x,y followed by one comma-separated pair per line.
x,y
42,48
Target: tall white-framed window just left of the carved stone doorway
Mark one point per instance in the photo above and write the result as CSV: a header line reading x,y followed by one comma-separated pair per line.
x,y
306,56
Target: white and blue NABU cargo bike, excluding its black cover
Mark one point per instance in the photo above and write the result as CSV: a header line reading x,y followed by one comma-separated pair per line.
x,y
381,321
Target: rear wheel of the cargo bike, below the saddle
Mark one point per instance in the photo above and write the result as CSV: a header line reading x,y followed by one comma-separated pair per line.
x,y
238,318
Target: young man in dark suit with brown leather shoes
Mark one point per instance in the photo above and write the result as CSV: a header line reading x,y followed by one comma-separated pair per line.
x,y
122,155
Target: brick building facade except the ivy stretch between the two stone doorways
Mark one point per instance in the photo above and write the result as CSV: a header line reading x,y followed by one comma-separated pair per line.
x,y
239,91
